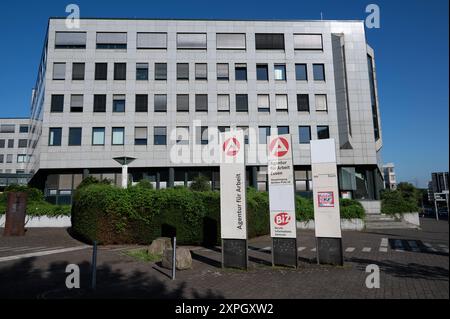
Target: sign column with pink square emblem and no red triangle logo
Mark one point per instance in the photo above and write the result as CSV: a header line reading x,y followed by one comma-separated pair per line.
x,y
326,202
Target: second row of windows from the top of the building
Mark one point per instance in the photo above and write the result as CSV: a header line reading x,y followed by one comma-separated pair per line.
x,y
183,73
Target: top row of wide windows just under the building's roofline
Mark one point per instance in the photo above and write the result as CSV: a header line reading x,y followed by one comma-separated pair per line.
x,y
187,41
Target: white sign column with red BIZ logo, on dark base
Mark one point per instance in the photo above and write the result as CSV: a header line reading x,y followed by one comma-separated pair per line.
x,y
283,224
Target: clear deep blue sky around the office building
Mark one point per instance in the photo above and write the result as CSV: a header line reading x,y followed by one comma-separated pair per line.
x,y
412,53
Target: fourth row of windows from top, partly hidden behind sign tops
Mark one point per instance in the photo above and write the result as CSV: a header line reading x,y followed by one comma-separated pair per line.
x,y
182,135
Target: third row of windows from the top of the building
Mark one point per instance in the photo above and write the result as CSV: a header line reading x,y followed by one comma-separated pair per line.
x,y
183,103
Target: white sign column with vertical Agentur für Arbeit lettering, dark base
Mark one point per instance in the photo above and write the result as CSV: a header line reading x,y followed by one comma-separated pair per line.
x,y
233,204
